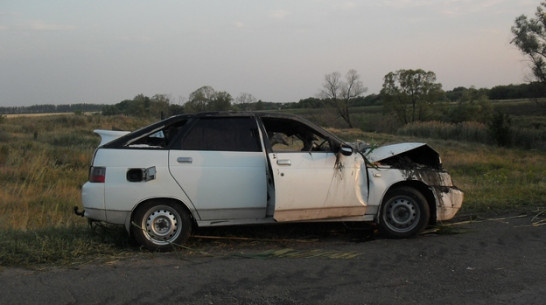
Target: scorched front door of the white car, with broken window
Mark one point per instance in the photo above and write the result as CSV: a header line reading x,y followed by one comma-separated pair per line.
x,y
311,180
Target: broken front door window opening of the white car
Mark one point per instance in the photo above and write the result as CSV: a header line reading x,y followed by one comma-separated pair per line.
x,y
292,136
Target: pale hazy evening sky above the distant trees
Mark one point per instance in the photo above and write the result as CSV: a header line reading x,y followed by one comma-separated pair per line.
x,y
105,51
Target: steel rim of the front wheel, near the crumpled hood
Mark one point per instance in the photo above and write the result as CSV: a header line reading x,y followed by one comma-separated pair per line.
x,y
402,214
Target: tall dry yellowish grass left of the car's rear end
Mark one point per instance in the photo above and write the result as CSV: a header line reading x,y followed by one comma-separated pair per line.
x,y
43,163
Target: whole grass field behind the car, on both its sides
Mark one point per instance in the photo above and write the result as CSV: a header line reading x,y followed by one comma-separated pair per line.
x,y
44,162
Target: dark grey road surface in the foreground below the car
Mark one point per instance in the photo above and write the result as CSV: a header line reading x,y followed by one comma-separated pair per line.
x,y
493,261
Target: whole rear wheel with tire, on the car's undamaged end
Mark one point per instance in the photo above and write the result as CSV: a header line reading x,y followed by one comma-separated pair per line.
x,y
161,225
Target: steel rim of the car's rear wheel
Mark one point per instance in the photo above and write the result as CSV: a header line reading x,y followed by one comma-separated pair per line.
x,y
162,225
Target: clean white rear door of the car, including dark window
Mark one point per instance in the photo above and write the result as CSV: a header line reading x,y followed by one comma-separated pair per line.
x,y
221,166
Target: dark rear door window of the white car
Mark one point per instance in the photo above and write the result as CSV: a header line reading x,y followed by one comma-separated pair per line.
x,y
223,134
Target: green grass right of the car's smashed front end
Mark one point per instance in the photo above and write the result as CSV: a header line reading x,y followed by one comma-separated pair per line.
x,y
496,178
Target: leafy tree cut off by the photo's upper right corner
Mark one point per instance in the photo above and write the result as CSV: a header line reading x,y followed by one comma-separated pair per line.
x,y
530,38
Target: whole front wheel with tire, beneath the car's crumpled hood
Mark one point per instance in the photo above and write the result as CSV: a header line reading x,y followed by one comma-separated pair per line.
x,y
404,212
